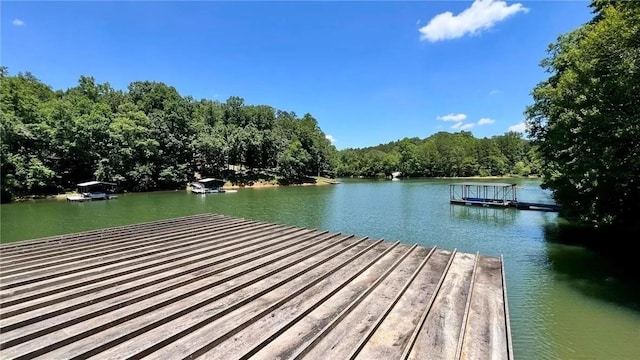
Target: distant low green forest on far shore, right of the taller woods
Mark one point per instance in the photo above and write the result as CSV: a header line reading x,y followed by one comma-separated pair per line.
x,y
443,155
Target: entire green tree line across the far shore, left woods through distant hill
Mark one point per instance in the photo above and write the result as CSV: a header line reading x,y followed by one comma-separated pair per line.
x,y
150,137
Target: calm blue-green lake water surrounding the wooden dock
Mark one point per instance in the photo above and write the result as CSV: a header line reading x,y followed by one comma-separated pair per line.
x,y
565,302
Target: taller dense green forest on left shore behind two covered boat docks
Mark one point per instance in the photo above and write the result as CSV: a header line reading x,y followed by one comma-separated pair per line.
x,y
149,137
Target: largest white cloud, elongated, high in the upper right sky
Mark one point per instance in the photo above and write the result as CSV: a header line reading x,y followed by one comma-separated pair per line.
x,y
482,15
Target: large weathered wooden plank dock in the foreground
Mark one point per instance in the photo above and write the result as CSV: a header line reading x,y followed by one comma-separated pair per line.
x,y
217,287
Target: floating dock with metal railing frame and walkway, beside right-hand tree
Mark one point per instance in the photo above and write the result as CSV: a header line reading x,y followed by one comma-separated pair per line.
x,y
501,195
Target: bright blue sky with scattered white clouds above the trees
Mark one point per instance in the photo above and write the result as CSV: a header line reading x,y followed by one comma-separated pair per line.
x,y
371,72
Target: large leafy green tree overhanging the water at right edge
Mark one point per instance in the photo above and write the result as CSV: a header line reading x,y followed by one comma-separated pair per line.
x,y
586,117
